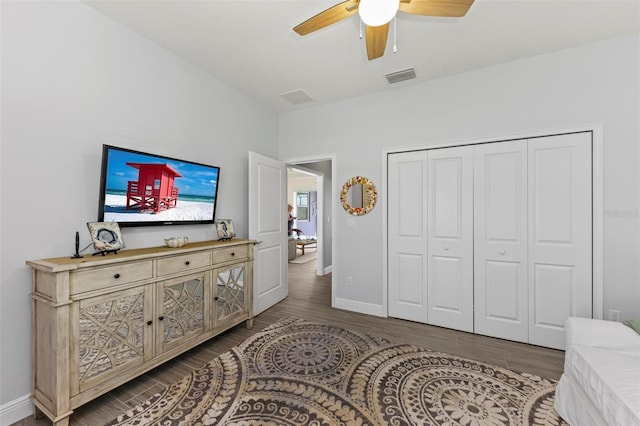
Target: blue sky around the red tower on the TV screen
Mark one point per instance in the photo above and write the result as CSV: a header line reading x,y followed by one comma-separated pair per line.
x,y
196,179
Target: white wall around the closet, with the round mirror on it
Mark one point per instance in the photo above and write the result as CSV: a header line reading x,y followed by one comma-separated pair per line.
x,y
597,83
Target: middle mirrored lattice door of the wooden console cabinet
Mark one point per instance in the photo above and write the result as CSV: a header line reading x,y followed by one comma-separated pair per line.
x,y
183,306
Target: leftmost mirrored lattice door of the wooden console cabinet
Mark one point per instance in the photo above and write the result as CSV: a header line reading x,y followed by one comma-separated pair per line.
x,y
111,335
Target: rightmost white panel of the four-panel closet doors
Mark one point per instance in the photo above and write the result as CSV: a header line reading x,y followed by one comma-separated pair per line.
x,y
560,276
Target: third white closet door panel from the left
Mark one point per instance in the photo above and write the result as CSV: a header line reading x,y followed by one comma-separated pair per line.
x,y
500,240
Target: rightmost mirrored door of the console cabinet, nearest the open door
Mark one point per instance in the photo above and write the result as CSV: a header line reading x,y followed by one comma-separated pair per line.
x,y
230,291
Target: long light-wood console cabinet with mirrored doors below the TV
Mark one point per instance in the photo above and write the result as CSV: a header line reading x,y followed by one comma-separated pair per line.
x,y
100,321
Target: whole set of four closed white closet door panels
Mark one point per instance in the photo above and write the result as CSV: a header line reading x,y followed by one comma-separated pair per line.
x,y
508,228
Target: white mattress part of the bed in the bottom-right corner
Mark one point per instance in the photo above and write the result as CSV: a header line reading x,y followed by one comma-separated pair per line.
x,y
609,379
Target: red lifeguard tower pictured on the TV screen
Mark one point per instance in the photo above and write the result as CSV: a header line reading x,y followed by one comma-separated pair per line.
x,y
154,190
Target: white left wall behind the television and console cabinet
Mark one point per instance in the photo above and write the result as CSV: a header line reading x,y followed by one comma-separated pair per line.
x,y
72,80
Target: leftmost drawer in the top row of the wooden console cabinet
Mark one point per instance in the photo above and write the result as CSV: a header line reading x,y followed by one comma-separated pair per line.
x,y
98,278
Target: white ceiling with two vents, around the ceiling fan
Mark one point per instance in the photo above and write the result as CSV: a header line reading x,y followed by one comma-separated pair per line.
x,y
250,45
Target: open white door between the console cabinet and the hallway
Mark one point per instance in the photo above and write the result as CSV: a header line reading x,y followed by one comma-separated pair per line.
x,y
267,224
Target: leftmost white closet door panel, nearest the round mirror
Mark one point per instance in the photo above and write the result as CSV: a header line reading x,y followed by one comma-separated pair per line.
x,y
407,236
